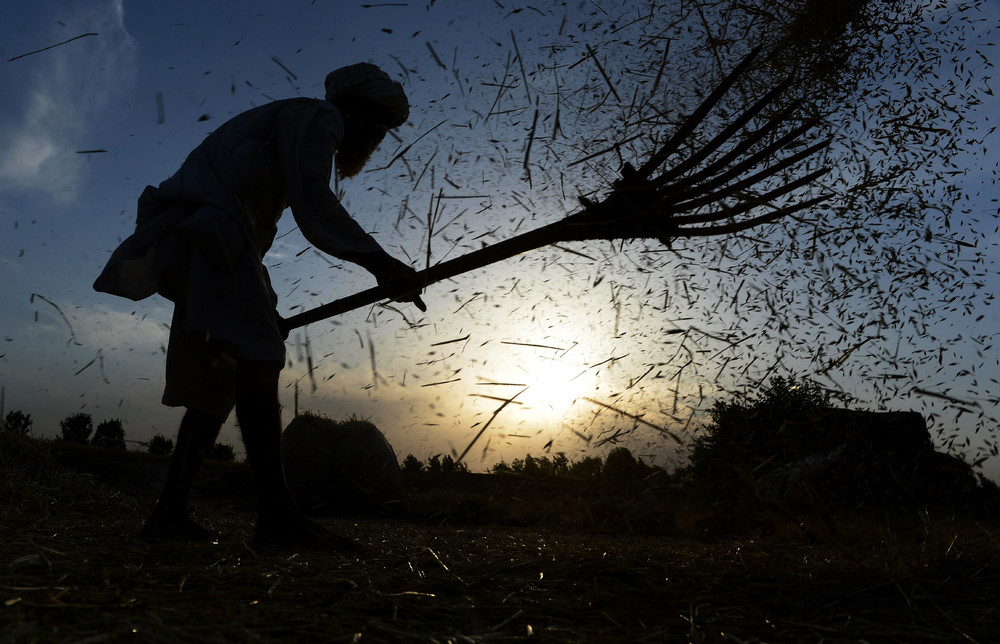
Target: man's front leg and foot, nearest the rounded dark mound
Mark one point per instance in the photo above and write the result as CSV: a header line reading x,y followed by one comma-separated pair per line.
x,y
259,416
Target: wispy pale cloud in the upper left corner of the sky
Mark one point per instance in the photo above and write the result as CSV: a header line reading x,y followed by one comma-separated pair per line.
x,y
64,98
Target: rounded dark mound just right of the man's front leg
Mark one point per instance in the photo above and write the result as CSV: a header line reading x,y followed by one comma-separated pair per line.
x,y
341,467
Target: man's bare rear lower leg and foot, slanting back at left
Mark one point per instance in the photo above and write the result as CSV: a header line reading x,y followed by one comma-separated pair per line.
x,y
170,519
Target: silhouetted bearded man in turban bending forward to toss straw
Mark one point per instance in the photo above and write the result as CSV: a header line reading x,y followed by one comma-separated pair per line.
x,y
200,240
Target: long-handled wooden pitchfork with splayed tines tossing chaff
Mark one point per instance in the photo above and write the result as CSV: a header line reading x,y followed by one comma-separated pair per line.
x,y
663,207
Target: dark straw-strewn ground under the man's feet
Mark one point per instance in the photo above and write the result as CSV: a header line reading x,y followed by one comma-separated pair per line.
x,y
71,570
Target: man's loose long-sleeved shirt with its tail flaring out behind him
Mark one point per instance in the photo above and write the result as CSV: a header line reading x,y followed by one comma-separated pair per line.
x,y
241,178
